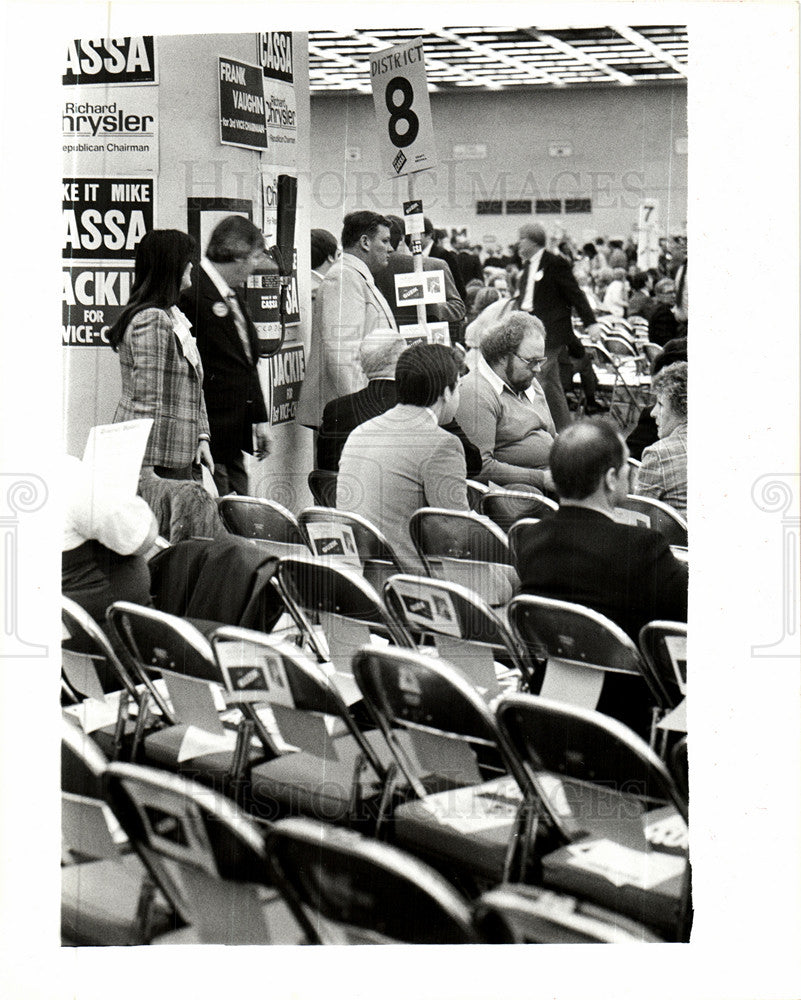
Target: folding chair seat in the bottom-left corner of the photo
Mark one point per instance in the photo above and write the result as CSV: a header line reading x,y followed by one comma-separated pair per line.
x,y
99,902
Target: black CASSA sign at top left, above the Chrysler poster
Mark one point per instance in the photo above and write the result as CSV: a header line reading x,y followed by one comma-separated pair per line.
x,y
110,60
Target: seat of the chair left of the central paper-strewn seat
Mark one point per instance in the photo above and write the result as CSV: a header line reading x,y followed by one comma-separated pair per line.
x,y
315,786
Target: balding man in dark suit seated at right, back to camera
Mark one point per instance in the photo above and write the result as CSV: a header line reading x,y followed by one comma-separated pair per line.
x,y
582,555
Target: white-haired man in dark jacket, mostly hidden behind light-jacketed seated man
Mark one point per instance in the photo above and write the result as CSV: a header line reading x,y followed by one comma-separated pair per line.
x,y
378,355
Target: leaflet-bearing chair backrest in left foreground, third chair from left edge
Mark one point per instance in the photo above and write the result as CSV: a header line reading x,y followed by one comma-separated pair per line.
x,y
261,671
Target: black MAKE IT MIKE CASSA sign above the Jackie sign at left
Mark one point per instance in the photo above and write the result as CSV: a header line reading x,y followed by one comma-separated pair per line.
x,y
105,217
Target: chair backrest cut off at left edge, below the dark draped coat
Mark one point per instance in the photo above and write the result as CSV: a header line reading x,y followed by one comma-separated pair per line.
x,y
89,665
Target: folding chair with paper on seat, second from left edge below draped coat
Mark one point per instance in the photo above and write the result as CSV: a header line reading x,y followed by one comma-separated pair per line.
x,y
170,655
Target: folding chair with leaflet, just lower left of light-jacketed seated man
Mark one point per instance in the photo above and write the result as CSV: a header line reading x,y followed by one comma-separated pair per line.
x,y
352,540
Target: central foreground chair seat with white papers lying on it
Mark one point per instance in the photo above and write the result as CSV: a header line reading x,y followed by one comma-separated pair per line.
x,y
467,826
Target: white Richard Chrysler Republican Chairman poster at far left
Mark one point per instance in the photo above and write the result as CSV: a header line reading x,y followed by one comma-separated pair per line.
x,y
110,131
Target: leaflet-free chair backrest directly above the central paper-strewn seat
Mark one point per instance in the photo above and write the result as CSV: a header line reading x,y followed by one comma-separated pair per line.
x,y
442,714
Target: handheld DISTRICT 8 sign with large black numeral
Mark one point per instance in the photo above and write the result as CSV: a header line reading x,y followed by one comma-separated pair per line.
x,y
403,109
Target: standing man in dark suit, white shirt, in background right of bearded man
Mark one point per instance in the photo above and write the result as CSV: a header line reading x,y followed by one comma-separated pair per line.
x,y
548,289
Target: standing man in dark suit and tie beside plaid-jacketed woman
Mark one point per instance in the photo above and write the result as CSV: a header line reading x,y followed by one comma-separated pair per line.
x,y
228,345
